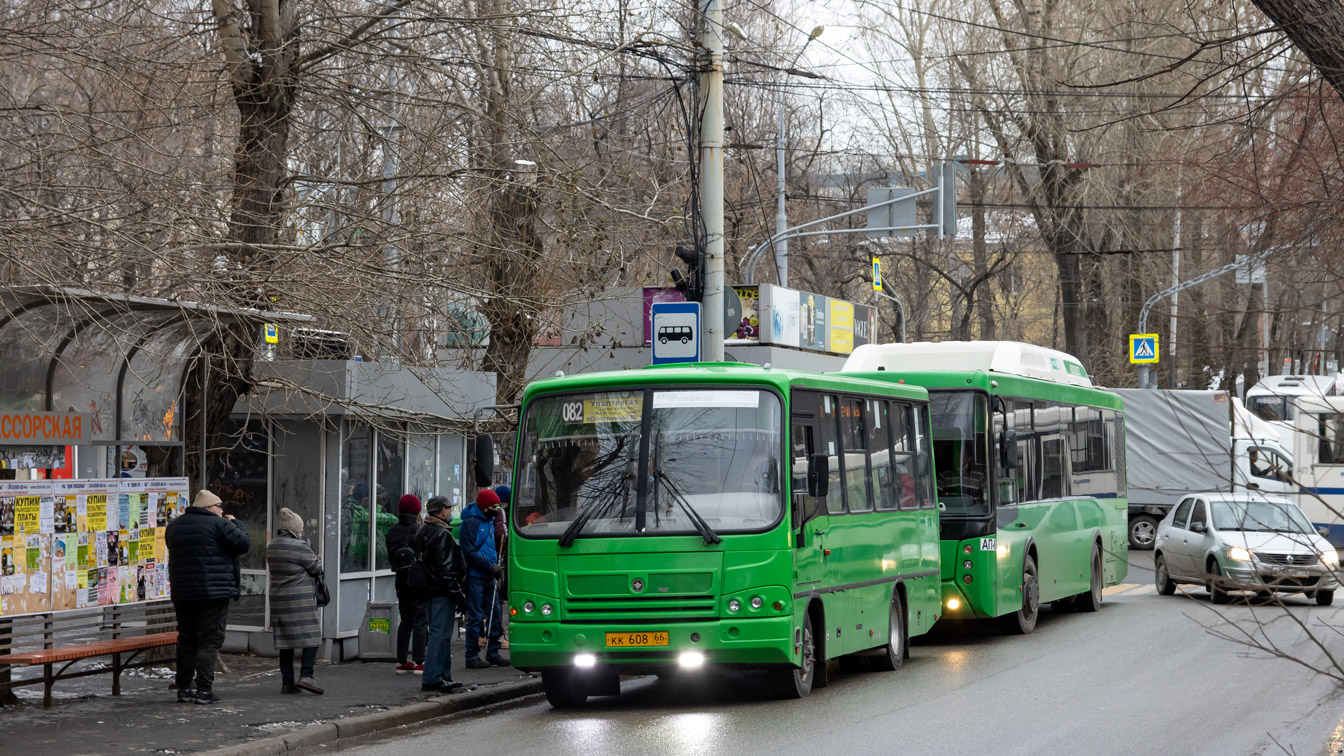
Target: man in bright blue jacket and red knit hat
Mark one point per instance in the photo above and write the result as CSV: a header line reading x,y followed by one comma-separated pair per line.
x,y
483,570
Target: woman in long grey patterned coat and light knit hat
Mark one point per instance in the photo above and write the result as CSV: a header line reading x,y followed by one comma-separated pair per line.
x,y
294,602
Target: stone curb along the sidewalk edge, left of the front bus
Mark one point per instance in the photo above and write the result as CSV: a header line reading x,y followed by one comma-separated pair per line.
x,y
390,719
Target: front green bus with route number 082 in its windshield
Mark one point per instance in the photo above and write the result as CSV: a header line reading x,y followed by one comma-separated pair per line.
x,y
724,515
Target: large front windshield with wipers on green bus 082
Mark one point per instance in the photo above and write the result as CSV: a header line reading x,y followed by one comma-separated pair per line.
x,y
714,455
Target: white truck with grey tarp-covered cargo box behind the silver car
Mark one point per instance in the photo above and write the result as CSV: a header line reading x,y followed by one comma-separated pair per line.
x,y
1182,442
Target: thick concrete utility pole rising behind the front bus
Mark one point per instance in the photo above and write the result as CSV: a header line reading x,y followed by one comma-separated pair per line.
x,y
712,180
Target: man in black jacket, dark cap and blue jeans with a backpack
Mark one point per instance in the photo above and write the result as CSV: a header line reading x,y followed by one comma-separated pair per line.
x,y
446,572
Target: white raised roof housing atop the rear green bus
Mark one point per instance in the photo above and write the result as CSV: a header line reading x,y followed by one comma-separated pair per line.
x,y
1011,358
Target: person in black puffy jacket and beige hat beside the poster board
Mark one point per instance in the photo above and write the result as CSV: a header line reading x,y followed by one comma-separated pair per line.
x,y
204,572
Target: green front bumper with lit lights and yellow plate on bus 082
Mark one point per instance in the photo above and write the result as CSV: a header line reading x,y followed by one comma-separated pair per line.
x,y
756,641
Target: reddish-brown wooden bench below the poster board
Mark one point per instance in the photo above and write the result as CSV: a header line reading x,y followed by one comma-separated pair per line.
x,y
49,641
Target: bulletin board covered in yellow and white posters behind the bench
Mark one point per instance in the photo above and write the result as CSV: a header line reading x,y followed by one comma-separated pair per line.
x,y
76,544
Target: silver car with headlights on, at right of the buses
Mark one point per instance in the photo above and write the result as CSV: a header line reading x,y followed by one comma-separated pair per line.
x,y
1244,543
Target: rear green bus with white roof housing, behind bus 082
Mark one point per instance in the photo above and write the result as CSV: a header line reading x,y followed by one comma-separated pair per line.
x,y
1030,469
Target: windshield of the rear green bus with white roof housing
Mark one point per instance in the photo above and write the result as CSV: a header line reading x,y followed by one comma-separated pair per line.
x,y
960,453
